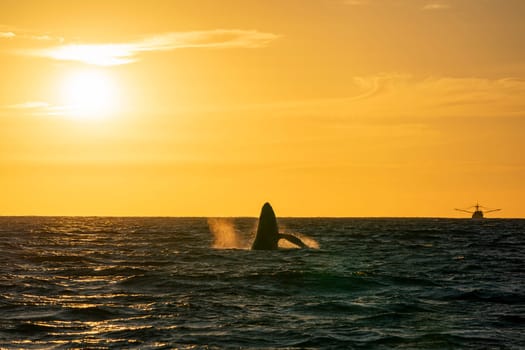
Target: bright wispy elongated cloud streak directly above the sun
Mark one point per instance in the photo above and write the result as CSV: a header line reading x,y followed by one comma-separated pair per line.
x,y
124,53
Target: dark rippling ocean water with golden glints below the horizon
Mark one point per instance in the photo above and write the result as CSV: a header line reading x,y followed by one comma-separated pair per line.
x,y
148,283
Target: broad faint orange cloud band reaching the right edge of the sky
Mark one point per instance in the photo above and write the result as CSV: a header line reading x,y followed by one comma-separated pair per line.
x,y
402,97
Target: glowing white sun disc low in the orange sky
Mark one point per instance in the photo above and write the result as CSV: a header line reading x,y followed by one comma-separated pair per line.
x,y
89,94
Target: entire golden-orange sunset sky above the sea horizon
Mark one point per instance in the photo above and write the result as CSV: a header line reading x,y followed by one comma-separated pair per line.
x,y
210,108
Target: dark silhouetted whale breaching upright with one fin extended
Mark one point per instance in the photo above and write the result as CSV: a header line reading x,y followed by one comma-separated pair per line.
x,y
268,235
